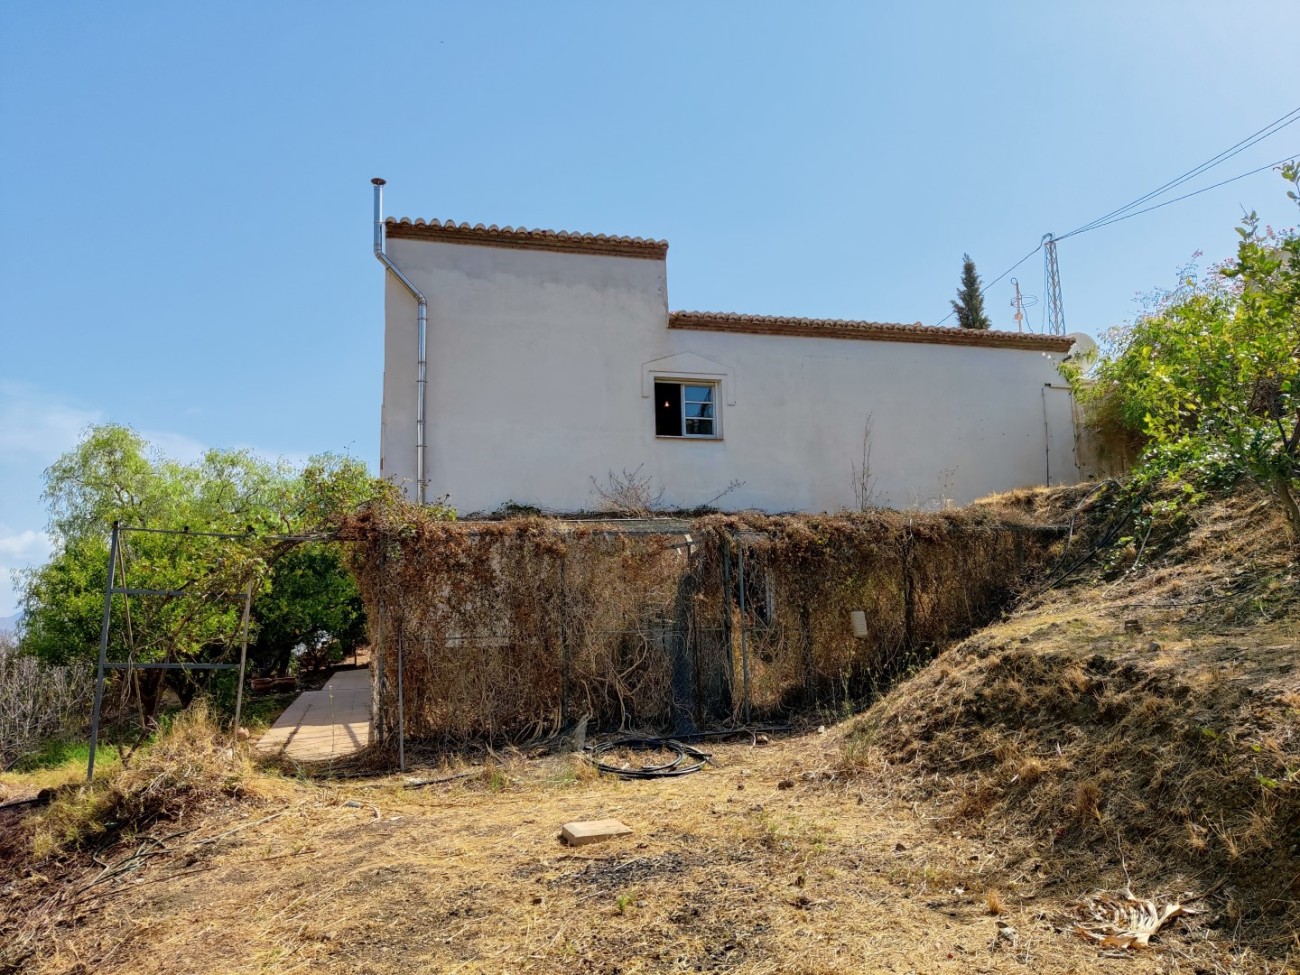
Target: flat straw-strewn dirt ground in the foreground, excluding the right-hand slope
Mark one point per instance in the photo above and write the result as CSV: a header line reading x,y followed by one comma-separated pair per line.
x,y
760,864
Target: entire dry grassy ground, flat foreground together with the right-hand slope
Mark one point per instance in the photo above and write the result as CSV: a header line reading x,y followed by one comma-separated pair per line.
x,y
961,825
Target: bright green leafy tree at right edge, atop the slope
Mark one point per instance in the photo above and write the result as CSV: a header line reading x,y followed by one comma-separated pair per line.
x,y
1210,380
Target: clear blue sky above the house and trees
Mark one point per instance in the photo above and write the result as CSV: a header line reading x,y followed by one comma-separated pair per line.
x,y
185,203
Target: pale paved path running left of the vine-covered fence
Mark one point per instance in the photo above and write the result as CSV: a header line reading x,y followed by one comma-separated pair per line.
x,y
323,725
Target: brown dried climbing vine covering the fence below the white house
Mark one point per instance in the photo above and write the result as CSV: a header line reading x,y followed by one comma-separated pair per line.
x,y
509,630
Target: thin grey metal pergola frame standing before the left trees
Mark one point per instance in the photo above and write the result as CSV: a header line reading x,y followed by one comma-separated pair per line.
x,y
111,590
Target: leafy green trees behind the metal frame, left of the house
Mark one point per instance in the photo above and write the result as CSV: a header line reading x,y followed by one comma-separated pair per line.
x,y
301,593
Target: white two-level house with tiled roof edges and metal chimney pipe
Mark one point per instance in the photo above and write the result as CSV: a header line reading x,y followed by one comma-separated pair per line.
x,y
545,361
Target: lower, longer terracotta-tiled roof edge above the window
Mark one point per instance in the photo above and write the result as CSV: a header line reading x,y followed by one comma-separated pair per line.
x,y
870,331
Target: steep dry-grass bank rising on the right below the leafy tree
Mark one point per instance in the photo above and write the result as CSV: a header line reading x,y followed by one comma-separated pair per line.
x,y
1164,759
